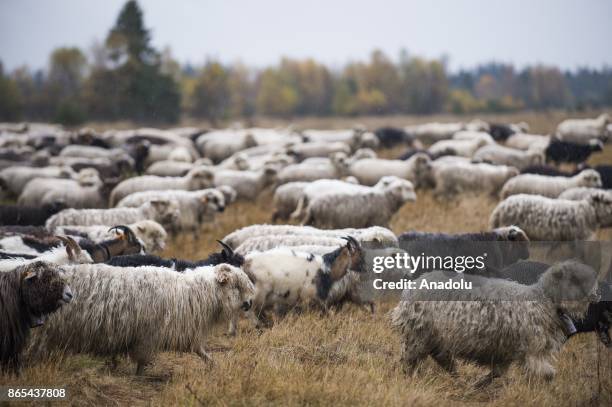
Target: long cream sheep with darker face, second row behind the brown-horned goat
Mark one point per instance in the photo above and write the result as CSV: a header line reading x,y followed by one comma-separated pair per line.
x,y
166,212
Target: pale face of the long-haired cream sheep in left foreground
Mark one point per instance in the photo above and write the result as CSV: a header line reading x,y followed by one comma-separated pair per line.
x,y
236,288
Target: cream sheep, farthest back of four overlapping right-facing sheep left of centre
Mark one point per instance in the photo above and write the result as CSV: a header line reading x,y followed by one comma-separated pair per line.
x,y
197,178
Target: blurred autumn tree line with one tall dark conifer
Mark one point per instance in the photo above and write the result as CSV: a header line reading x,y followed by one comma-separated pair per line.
x,y
125,78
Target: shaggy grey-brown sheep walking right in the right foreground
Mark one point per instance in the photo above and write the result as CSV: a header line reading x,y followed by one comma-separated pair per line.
x,y
494,323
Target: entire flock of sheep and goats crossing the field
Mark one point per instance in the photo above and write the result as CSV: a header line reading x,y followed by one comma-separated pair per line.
x,y
79,249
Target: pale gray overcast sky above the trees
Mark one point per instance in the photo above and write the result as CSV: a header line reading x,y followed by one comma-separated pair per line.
x,y
566,33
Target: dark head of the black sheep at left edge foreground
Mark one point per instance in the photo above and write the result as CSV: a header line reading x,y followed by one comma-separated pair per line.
x,y
43,289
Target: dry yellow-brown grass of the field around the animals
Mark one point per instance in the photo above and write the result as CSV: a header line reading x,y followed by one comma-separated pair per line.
x,y
347,358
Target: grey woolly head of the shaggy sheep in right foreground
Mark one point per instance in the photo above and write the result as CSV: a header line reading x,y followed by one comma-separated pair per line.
x,y
571,286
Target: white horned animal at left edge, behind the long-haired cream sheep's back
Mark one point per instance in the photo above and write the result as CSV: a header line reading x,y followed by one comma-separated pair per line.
x,y
68,253
